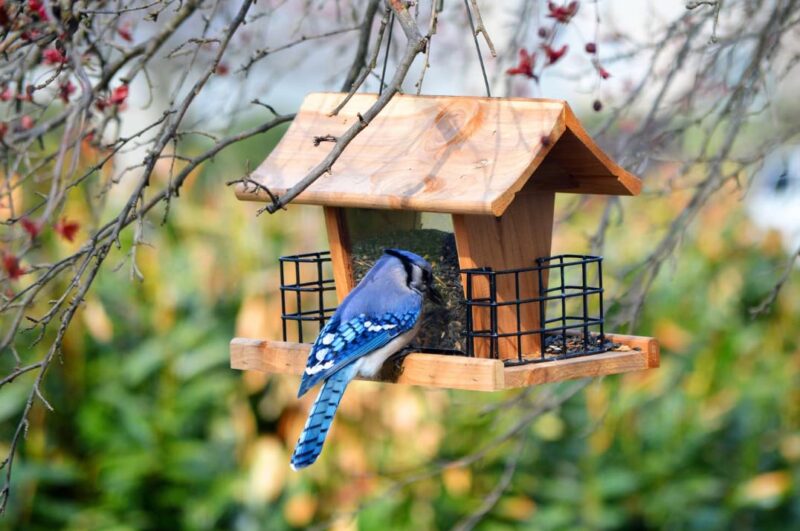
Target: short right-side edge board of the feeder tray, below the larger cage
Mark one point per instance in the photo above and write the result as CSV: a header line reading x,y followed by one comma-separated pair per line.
x,y
588,366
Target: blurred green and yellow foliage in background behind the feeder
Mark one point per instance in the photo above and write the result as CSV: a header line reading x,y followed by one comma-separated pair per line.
x,y
153,430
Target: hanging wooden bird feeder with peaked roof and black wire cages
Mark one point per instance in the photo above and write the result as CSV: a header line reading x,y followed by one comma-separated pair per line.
x,y
494,165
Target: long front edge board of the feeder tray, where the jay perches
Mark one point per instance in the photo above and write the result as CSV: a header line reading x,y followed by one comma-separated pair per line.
x,y
429,370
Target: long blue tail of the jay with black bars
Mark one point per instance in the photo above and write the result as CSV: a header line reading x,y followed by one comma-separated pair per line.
x,y
320,417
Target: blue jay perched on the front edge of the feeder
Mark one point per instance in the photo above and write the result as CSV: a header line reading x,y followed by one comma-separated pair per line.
x,y
377,319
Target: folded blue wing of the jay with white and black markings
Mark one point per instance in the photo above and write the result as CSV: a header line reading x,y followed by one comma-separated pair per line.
x,y
340,343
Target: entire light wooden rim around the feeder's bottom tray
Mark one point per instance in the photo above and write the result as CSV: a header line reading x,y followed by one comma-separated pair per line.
x,y
460,372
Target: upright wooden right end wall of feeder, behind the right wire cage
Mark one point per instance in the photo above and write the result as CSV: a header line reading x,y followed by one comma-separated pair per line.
x,y
514,240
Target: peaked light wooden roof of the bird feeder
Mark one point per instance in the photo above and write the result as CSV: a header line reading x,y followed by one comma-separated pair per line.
x,y
450,154
